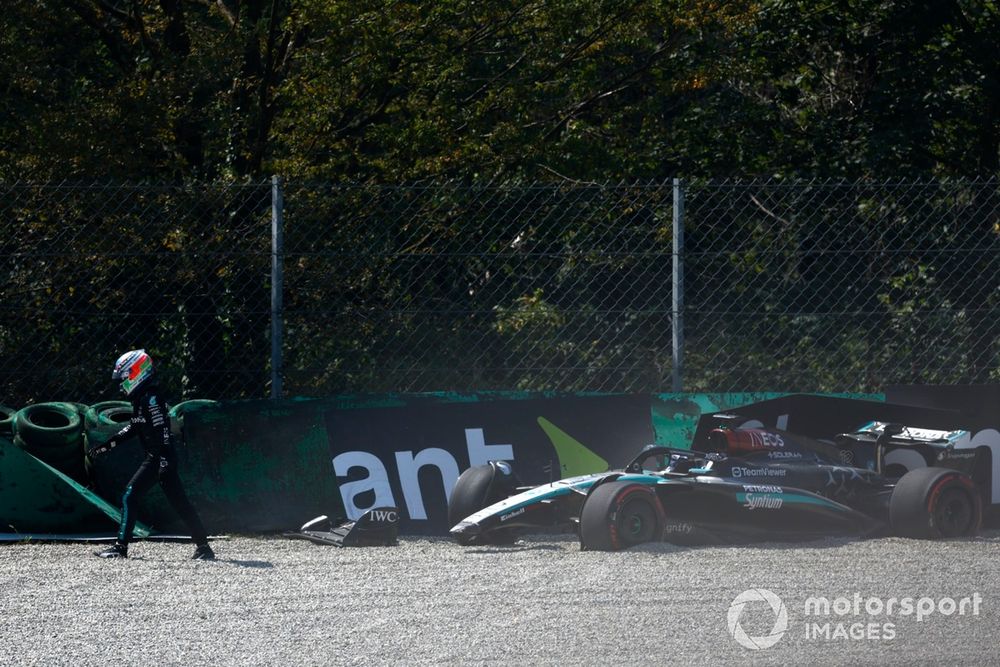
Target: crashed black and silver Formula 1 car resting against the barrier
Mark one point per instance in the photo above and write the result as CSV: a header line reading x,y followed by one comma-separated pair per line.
x,y
754,484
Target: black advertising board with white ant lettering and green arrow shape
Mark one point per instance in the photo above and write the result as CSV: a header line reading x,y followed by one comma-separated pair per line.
x,y
409,456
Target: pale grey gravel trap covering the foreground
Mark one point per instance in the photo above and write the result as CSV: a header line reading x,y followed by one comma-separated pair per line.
x,y
273,601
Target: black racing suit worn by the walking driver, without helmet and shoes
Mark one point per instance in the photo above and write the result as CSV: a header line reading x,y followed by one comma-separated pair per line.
x,y
151,422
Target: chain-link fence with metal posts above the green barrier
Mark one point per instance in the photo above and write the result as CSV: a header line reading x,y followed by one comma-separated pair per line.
x,y
779,286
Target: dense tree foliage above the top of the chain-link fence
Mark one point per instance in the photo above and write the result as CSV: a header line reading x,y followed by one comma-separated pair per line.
x,y
408,90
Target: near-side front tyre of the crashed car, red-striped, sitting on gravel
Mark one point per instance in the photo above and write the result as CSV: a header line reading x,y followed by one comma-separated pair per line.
x,y
618,515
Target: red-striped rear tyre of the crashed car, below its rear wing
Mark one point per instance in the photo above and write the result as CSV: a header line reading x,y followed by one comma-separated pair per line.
x,y
935,503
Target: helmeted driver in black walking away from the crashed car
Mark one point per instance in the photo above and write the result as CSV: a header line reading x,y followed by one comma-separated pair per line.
x,y
151,423
